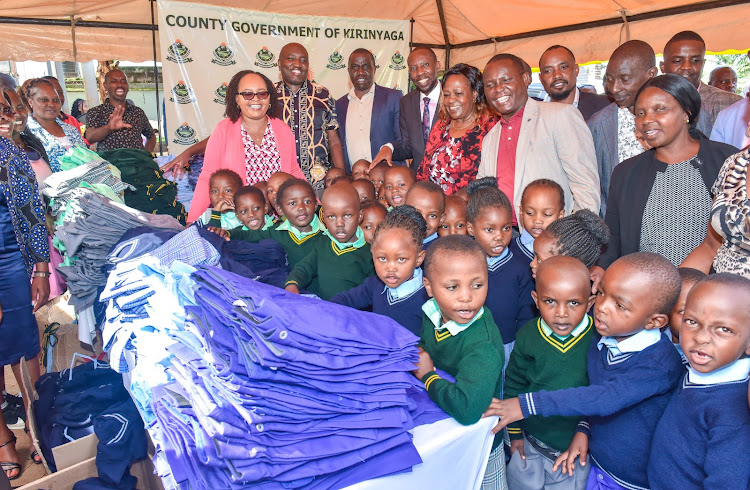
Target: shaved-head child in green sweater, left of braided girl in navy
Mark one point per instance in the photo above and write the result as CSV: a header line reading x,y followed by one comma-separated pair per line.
x,y
344,260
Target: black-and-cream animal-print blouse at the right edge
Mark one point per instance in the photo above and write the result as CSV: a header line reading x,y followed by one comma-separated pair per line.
x,y
730,216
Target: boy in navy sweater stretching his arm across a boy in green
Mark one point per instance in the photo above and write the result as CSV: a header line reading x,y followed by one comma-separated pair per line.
x,y
633,370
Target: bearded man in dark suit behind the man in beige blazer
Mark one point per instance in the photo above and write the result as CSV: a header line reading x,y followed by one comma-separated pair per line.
x,y
558,72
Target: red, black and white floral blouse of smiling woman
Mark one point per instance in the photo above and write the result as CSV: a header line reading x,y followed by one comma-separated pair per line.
x,y
453,162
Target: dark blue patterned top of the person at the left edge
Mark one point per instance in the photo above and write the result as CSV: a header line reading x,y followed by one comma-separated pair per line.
x,y
26,209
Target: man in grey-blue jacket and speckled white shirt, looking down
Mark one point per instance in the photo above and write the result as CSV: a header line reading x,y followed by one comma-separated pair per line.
x,y
613,128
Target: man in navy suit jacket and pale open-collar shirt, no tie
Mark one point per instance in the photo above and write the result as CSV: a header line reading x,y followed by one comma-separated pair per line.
x,y
368,114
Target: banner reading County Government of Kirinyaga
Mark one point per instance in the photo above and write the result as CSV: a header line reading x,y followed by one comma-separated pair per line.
x,y
205,45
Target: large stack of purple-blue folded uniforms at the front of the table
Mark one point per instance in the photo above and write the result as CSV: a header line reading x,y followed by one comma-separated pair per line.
x,y
243,384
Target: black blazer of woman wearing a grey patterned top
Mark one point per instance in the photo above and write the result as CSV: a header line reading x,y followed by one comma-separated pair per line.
x,y
631,184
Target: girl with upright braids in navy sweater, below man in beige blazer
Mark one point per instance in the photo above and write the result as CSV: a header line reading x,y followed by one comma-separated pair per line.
x,y
489,220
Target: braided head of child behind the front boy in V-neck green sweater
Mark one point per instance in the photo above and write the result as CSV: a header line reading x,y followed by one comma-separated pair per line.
x,y
581,235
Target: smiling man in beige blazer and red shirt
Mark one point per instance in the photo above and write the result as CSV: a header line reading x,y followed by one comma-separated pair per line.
x,y
535,140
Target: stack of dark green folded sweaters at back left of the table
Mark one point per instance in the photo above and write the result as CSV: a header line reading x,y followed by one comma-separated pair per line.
x,y
152,192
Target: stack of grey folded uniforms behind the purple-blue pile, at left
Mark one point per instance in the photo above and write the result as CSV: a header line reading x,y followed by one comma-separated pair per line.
x,y
85,233
